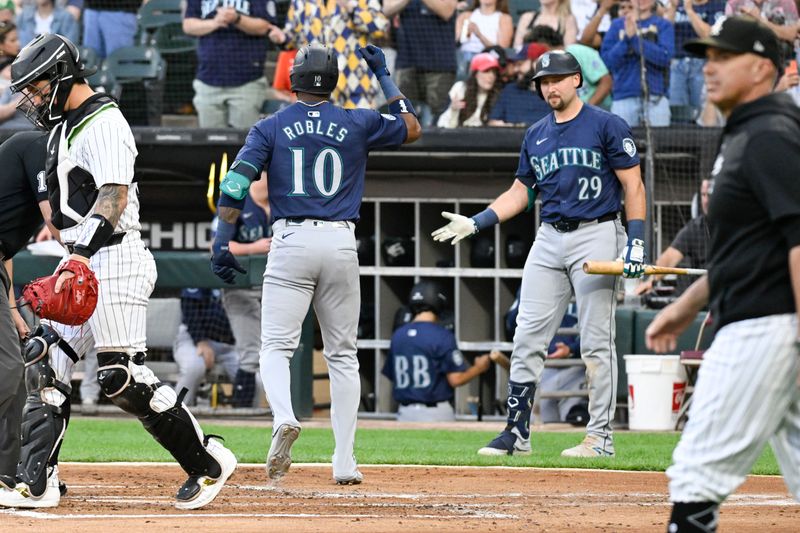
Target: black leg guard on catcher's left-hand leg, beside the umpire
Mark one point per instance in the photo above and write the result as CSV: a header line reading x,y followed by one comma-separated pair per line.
x,y
46,411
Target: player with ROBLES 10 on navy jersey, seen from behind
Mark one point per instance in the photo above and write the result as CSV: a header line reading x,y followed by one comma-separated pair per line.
x,y
315,154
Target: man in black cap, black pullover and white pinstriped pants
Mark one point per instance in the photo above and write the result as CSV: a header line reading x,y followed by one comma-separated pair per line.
x,y
747,391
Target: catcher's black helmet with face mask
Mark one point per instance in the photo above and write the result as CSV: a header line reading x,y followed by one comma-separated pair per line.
x,y
53,58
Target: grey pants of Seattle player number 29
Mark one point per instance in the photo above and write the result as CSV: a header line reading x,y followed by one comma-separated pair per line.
x,y
553,272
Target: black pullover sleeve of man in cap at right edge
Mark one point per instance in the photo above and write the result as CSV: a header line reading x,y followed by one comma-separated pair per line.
x,y
773,178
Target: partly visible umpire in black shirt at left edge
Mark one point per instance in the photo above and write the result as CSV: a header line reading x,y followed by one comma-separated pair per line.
x,y
23,204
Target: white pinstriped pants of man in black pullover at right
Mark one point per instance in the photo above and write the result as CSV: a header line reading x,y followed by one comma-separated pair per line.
x,y
746,394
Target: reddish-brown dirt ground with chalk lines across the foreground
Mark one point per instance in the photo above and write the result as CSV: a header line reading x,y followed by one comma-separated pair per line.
x,y
124,497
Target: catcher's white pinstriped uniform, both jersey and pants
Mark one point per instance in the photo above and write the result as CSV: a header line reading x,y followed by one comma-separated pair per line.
x,y
103,144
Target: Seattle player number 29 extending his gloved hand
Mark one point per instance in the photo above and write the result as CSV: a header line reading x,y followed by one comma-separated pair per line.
x,y
580,160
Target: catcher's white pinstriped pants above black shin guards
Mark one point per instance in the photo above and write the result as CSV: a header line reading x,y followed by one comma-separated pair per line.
x,y
126,274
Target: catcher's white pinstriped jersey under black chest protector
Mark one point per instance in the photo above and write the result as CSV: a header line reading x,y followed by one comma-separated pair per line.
x,y
98,146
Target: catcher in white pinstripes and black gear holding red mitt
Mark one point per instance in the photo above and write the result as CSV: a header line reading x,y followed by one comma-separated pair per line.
x,y
95,206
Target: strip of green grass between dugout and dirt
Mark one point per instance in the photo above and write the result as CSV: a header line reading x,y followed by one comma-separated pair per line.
x,y
125,440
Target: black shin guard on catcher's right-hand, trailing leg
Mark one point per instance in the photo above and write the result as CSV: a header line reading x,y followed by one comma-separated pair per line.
x,y
135,389
